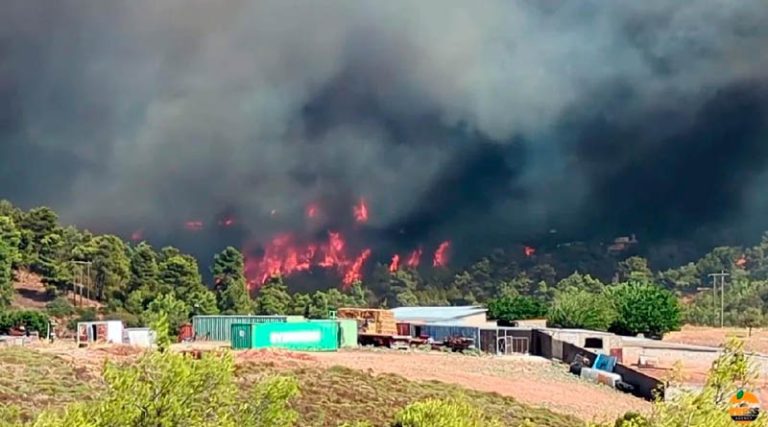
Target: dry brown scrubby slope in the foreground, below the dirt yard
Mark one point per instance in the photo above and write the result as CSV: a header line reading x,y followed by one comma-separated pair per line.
x,y
330,394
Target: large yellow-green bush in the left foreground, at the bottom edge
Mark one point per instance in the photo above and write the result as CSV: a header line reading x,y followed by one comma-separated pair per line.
x,y
170,389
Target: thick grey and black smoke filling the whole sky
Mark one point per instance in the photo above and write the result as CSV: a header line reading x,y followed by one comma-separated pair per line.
x,y
480,122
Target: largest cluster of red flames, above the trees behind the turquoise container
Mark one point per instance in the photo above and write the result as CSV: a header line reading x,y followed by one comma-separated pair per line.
x,y
284,256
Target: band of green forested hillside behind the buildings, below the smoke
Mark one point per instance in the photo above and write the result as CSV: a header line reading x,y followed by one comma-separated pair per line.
x,y
134,280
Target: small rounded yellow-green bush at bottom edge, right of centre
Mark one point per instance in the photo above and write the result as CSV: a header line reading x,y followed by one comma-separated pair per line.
x,y
443,413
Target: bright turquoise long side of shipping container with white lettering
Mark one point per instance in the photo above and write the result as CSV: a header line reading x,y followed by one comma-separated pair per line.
x,y
299,336
